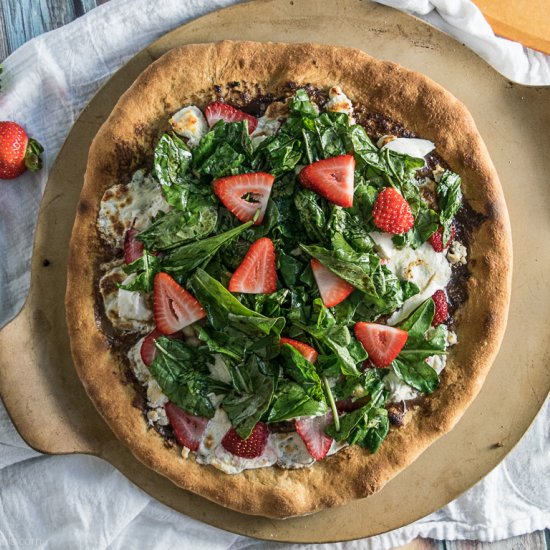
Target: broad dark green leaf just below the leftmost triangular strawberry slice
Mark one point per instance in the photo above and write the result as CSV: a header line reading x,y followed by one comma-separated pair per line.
x,y
182,373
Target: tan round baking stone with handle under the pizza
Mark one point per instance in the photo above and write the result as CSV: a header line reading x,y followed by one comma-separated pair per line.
x,y
49,406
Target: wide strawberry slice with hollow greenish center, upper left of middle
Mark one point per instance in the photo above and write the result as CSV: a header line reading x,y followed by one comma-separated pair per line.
x,y
245,194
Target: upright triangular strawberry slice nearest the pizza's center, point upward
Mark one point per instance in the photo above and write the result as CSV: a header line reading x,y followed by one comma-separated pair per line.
x,y
257,273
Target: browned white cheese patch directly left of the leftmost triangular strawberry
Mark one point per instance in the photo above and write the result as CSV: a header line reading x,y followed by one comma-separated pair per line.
x,y
127,311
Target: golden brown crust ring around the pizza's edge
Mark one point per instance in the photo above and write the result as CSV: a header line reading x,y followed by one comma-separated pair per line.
x,y
187,75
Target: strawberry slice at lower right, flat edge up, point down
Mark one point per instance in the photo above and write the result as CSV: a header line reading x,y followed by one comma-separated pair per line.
x,y
382,343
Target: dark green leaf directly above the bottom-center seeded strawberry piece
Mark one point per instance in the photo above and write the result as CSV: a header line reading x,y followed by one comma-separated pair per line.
x,y
246,408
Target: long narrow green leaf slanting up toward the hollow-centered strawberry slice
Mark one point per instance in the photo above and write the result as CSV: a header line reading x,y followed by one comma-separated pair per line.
x,y
183,260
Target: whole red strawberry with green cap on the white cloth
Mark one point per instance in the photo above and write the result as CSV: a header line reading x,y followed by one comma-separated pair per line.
x,y
17,152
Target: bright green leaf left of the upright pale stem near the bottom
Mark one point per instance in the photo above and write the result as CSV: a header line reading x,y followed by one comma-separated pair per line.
x,y
291,400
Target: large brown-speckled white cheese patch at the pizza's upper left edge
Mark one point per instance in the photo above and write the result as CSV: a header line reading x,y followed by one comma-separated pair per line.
x,y
132,205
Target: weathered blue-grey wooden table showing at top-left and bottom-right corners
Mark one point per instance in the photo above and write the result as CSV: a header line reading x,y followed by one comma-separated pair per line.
x,y
21,20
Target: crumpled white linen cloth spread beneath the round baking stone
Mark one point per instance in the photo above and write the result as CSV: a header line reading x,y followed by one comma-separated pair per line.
x,y
83,502
